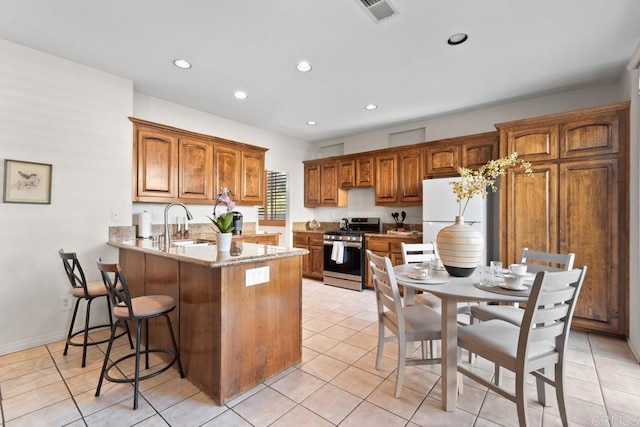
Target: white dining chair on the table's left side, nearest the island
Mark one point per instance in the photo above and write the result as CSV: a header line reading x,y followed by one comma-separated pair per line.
x,y
406,324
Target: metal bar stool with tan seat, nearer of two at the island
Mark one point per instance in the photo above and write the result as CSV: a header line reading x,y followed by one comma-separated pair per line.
x,y
139,310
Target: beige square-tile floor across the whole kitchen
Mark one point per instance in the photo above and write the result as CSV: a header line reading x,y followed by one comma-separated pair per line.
x,y
335,384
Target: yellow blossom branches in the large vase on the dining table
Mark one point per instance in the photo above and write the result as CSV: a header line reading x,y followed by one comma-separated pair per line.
x,y
482,180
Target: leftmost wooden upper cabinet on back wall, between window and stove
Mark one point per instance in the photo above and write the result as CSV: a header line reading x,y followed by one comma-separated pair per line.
x,y
321,184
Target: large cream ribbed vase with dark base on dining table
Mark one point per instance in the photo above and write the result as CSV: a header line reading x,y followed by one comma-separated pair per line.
x,y
460,246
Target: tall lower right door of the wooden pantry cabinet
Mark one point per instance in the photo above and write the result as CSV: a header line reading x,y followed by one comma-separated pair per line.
x,y
589,222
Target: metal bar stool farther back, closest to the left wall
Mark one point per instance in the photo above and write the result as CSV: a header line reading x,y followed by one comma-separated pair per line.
x,y
88,292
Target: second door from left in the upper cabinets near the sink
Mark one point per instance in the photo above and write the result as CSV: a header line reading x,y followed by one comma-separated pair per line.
x,y
194,170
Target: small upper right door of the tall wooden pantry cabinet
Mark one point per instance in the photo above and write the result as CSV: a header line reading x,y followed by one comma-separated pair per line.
x,y
590,135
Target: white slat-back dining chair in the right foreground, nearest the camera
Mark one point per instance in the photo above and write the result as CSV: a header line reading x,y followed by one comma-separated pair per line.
x,y
539,343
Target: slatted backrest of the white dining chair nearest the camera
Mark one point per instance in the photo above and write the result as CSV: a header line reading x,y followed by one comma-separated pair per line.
x,y
549,310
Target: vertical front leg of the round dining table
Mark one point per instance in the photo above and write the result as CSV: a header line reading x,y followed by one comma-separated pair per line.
x,y
449,353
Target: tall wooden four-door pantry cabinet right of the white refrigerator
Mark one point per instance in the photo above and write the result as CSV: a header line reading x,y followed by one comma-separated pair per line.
x,y
576,201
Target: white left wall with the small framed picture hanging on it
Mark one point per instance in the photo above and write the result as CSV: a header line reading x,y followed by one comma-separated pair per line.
x,y
75,118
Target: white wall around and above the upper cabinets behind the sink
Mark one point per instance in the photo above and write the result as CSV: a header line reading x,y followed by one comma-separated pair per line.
x,y
285,155
